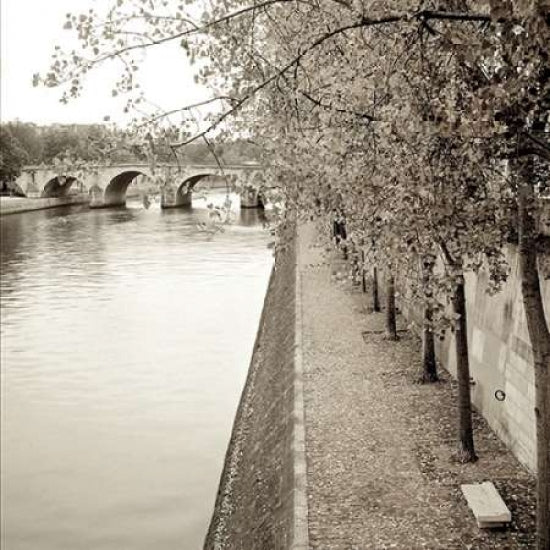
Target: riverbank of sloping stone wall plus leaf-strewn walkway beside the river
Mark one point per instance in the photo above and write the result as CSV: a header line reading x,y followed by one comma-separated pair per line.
x,y
379,446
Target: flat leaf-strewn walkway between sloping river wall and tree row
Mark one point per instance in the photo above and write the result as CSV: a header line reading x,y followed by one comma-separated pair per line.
x,y
379,445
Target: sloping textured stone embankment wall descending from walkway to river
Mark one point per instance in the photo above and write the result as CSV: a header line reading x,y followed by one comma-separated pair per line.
x,y
256,501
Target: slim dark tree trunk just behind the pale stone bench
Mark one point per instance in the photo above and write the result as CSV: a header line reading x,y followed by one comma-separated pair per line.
x,y
466,451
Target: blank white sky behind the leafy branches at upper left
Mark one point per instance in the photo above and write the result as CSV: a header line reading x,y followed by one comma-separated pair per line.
x,y
29,31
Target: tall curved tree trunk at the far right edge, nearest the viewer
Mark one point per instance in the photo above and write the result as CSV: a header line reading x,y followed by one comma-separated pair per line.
x,y
539,335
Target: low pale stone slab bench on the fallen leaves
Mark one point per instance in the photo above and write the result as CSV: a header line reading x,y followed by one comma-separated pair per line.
x,y
487,505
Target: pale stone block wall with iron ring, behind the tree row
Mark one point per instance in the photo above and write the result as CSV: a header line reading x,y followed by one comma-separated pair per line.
x,y
501,361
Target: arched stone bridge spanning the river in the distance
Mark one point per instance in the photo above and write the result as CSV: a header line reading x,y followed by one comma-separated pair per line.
x,y
107,184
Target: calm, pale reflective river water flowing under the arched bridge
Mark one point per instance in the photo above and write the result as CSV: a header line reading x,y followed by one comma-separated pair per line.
x,y
126,337
